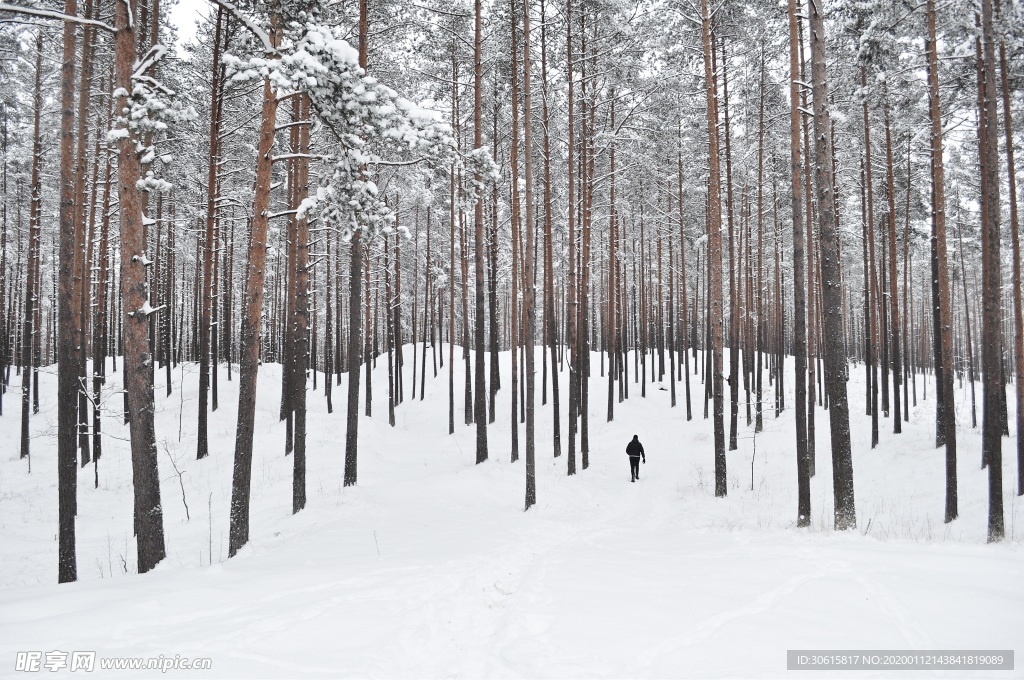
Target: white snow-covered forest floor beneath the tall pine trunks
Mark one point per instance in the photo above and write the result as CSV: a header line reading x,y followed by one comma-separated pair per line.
x,y
430,568
